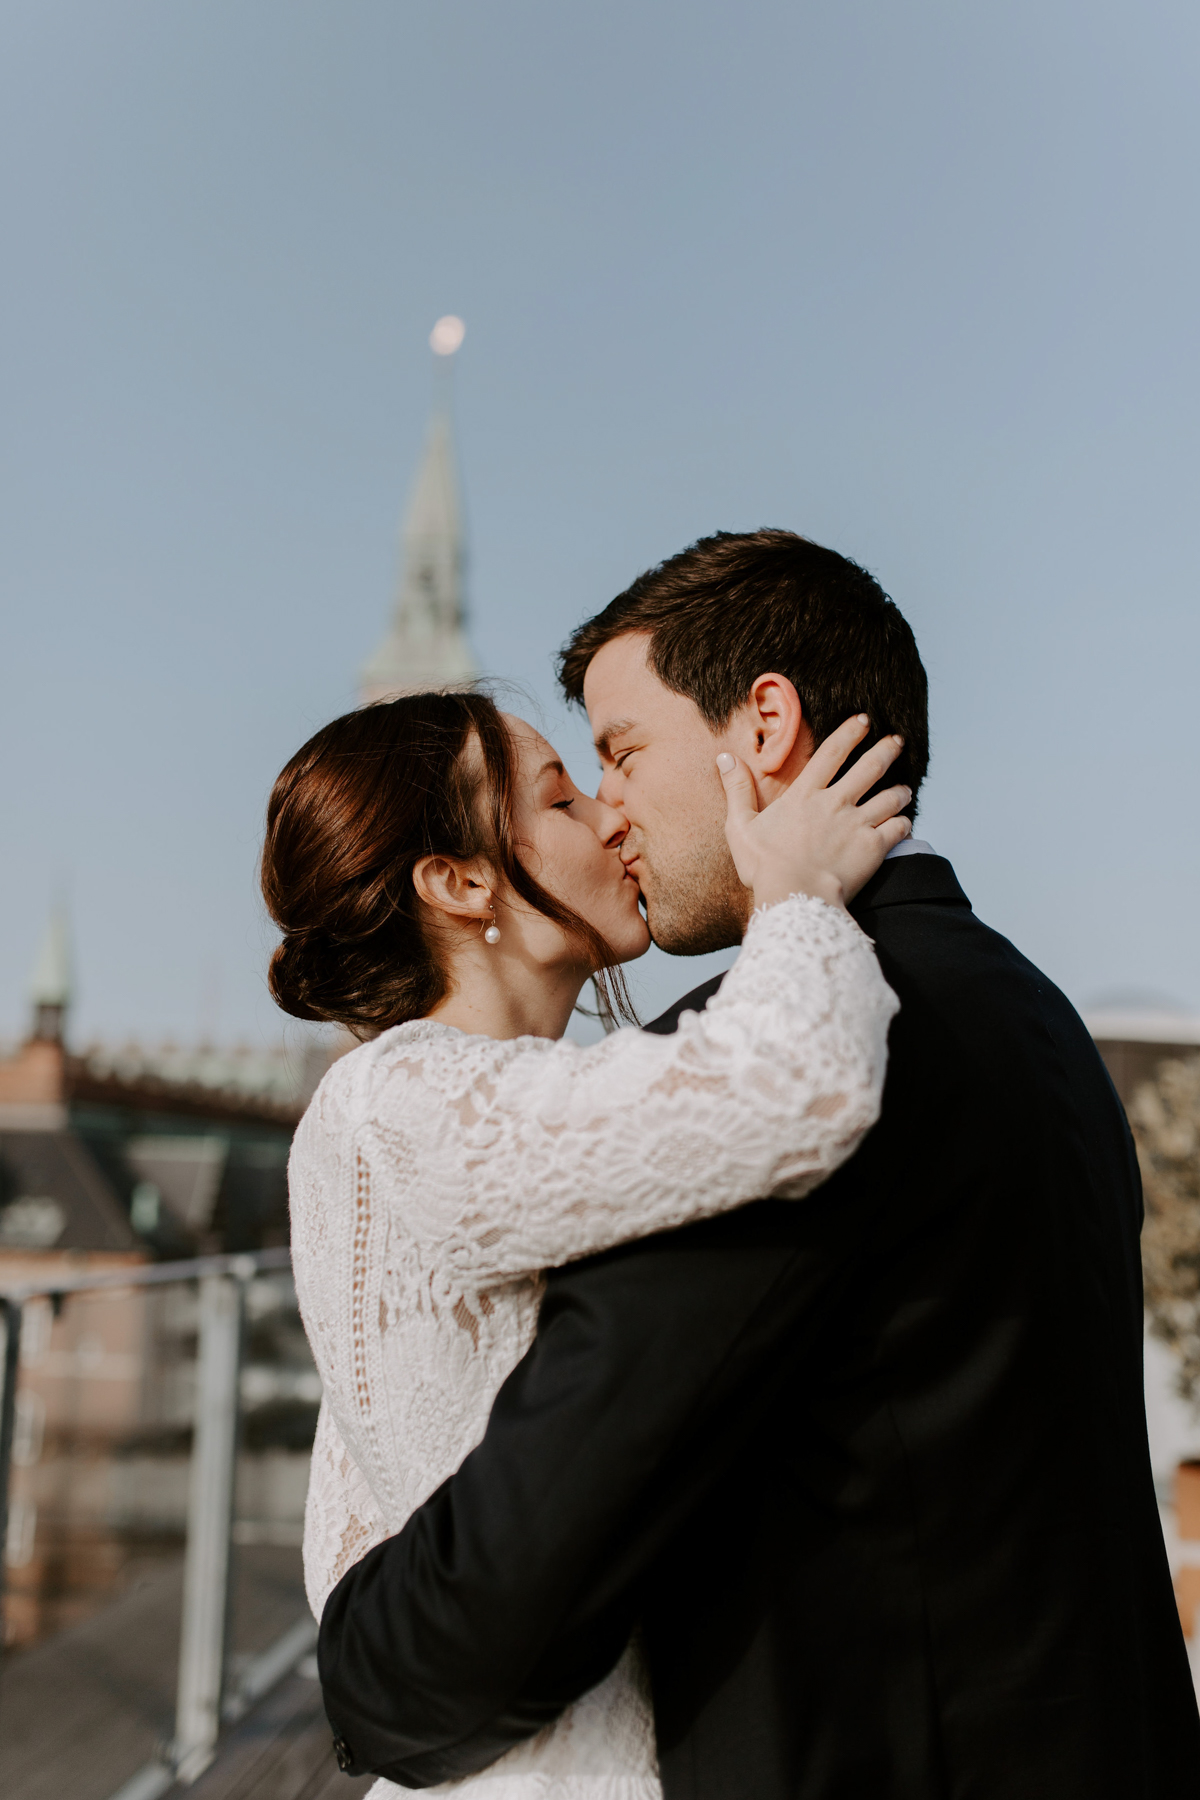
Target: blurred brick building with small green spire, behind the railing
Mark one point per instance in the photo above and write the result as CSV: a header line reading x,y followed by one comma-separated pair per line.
x,y
111,1160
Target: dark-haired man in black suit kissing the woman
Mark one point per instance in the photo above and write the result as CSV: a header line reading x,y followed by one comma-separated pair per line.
x,y
872,1470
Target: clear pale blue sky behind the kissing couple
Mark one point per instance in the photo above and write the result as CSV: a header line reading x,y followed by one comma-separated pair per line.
x,y
918,280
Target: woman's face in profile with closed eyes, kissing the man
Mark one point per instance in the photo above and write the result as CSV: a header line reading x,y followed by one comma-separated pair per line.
x,y
571,847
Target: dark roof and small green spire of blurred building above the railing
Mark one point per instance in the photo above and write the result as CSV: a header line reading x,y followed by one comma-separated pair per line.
x,y
141,1151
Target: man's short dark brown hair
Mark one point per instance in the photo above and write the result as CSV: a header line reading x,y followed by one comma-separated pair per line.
x,y
739,606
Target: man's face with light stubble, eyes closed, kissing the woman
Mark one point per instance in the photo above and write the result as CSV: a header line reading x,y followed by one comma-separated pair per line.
x,y
659,769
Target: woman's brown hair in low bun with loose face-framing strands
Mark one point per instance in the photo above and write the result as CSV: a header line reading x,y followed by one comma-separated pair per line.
x,y
352,814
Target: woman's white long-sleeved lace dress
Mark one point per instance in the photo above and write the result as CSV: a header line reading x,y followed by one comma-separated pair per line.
x,y
436,1176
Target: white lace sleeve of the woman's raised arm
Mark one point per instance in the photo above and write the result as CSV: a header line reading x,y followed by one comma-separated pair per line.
x,y
512,1156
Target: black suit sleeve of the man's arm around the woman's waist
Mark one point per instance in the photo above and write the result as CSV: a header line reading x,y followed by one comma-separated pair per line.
x,y
515,1587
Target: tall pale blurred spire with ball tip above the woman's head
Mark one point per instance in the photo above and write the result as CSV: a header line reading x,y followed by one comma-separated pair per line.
x,y
425,645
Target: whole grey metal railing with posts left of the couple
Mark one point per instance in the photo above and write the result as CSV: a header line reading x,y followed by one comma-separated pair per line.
x,y
206,1696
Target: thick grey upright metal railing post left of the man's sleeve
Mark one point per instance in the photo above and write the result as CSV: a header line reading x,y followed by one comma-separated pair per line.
x,y
210,1527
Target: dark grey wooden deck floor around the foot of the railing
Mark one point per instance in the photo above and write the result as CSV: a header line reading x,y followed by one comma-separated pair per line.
x,y
89,1709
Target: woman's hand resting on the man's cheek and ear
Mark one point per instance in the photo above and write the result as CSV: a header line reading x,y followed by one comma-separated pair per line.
x,y
816,840
